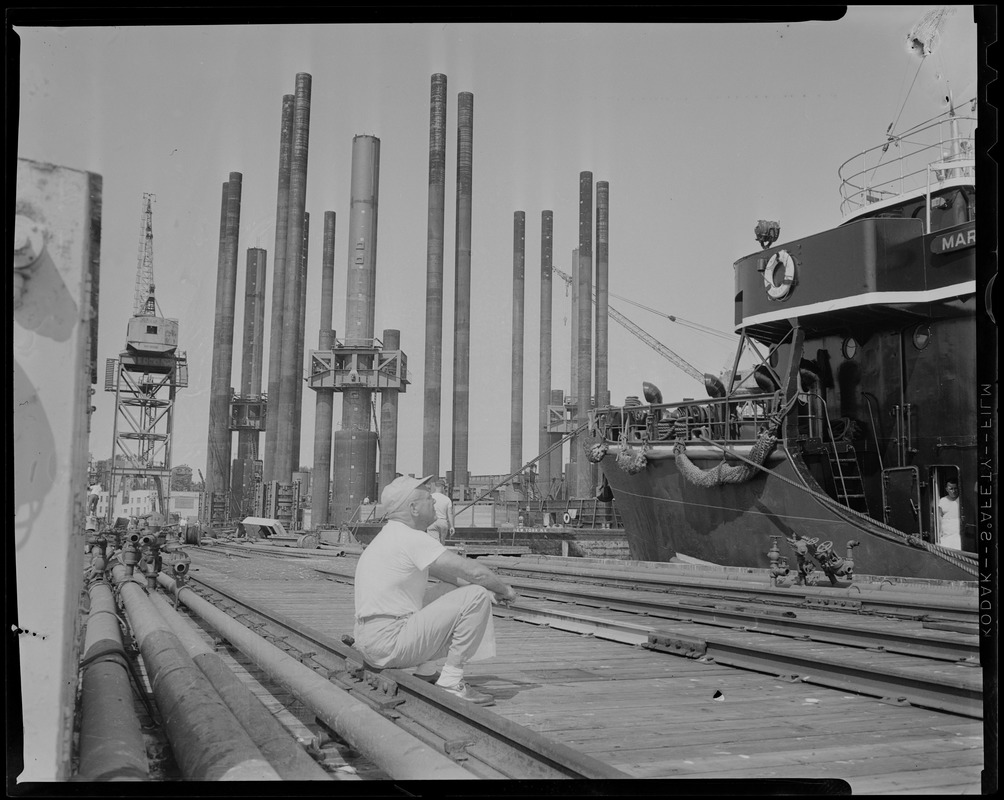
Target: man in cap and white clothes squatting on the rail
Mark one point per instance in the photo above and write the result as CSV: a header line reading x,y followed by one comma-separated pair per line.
x,y
394,628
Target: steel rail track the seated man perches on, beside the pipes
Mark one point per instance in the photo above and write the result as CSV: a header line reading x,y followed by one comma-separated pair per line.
x,y
486,744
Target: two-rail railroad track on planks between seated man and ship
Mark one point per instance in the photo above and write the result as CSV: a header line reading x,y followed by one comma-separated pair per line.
x,y
937,671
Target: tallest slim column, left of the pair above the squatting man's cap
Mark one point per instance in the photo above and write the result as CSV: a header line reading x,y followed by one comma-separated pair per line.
x,y
432,414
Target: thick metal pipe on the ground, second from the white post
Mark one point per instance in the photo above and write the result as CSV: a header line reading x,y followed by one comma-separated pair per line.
x,y
208,742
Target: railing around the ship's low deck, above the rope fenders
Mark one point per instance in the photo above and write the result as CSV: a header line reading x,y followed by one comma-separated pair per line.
x,y
738,418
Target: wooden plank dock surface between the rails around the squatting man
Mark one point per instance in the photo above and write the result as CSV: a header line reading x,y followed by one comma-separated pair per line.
x,y
655,715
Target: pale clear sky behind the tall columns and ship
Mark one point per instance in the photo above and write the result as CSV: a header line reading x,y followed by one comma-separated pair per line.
x,y
700,130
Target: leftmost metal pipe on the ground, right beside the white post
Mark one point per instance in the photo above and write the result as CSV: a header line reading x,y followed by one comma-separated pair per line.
x,y
112,746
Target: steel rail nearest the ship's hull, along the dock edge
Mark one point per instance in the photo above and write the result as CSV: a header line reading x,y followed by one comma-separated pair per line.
x,y
919,607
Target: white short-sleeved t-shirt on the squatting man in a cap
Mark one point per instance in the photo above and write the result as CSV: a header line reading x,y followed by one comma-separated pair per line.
x,y
393,572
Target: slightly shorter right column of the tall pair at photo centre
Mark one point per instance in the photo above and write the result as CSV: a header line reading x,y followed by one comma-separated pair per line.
x,y
462,305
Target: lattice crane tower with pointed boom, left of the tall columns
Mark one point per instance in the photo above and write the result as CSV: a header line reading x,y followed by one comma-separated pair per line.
x,y
145,378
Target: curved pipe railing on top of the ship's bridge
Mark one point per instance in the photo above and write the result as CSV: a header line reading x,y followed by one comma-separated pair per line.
x,y
901,165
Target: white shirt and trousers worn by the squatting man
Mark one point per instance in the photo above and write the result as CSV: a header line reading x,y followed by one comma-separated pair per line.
x,y
393,629
